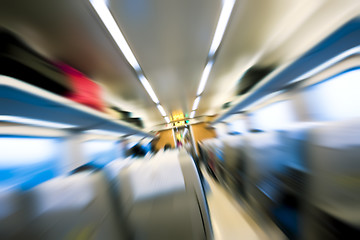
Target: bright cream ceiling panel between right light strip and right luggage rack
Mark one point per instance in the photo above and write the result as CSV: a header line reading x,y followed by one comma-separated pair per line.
x,y
269,33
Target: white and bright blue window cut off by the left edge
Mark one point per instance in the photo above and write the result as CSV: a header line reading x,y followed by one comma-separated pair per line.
x,y
26,162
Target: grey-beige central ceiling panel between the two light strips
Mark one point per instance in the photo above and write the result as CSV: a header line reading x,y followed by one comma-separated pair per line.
x,y
171,40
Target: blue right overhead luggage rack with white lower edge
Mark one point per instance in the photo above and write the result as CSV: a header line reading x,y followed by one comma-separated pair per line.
x,y
339,46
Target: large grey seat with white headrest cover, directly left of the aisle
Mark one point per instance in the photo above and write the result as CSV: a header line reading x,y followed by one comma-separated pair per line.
x,y
157,200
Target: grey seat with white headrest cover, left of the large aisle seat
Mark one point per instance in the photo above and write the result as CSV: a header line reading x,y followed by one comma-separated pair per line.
x,y
78,206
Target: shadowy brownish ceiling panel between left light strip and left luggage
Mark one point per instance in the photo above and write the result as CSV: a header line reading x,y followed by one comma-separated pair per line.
x,y
70,31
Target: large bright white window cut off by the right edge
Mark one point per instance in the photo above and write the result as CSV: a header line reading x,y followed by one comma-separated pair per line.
x,y
336,98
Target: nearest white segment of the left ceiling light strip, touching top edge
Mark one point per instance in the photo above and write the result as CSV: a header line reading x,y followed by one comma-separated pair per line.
x,y
114,30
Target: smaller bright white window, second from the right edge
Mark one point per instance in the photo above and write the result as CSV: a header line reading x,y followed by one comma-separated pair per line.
x,y
274,116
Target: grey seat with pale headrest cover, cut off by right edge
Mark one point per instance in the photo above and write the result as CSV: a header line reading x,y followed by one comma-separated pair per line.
x,y
334,183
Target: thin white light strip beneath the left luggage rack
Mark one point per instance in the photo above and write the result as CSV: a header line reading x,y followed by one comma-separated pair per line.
x,y
35,122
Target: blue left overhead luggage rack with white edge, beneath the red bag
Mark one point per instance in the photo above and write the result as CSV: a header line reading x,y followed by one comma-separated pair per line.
x,y
20,99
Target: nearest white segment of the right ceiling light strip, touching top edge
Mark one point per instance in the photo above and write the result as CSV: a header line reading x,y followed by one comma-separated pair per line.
x,y
221,26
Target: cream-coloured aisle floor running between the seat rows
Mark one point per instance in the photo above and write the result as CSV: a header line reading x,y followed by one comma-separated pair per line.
x,y
230,221
